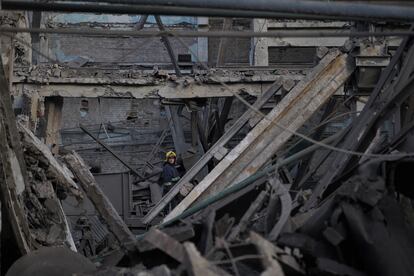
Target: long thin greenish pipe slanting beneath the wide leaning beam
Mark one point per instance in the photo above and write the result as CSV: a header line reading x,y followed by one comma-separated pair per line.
x,y
251,179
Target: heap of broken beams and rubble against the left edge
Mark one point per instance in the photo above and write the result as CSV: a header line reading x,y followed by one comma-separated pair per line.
x,y
31,211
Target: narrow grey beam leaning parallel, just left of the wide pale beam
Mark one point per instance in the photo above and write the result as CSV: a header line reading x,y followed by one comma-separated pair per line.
x,y
210,153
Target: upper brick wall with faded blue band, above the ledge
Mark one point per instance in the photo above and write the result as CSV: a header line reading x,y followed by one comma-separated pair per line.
x,y
121,50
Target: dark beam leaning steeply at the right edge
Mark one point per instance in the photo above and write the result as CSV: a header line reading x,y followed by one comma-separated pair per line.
x,y
383,100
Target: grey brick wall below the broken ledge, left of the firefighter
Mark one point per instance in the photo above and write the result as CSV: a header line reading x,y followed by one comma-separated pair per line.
x,y
133,127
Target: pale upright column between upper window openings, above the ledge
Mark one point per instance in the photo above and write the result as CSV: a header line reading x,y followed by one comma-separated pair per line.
x,y
259,51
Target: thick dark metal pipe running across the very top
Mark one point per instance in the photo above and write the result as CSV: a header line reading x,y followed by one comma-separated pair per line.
x,y
258,8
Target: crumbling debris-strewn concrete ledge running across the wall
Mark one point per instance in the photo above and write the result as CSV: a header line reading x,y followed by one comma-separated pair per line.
x,y
62,73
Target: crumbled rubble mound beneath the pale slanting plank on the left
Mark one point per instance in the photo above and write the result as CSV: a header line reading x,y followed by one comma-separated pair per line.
x,y
46,186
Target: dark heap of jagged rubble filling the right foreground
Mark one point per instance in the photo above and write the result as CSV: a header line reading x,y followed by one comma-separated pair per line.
x,y
347,235
